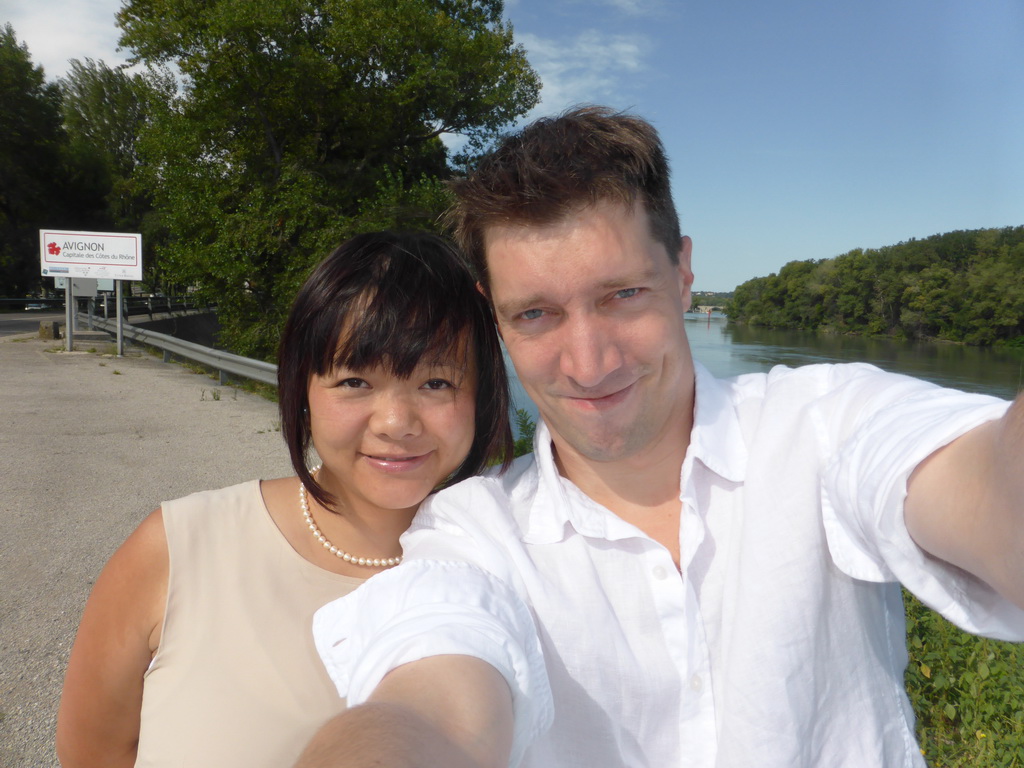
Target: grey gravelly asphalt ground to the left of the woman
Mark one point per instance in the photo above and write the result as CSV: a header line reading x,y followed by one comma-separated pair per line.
x,y
90,445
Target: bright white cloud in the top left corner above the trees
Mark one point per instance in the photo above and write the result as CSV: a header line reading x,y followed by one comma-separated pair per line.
x,y
61,30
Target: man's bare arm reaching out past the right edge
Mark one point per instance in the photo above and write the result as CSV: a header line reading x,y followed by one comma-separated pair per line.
x,y
966,503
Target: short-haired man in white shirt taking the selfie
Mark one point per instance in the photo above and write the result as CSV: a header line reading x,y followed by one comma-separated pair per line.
x,y
712,568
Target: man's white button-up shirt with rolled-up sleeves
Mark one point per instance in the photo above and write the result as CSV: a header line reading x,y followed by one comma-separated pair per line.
x,y
781,641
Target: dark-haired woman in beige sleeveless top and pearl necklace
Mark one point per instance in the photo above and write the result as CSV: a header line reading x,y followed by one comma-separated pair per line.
x,y
195,648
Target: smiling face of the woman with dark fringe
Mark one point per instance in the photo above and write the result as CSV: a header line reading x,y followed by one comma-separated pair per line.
x,y
387,443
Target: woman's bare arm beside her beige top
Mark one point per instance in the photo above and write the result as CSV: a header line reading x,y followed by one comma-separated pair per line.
x,y
101,706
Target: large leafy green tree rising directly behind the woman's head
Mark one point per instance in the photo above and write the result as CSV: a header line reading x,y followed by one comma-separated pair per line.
x,y
301,122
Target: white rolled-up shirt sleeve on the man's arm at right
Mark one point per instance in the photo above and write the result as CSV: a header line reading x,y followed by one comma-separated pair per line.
x,y
864,492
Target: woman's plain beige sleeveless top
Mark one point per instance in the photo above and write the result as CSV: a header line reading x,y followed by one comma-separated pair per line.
x,y
237,680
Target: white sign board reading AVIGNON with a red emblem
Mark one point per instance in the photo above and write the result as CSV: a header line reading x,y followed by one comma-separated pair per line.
x,y
108,255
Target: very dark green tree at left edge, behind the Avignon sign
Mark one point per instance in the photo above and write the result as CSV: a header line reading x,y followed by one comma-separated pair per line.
x,y
31,164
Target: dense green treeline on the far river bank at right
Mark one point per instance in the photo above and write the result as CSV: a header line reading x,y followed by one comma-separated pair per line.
x,y
962,286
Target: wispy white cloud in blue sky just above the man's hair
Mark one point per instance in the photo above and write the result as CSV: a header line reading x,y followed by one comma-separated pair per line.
x,y
592,68
